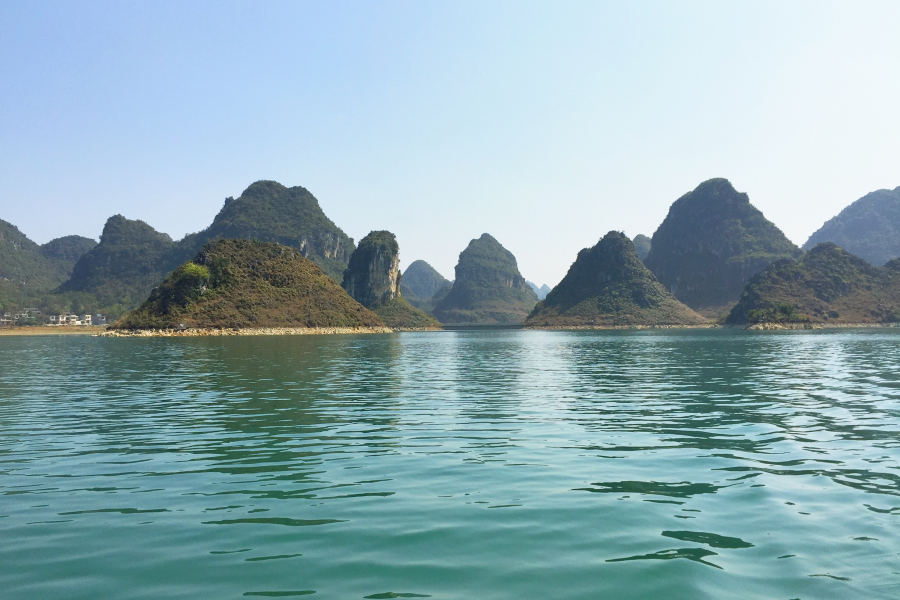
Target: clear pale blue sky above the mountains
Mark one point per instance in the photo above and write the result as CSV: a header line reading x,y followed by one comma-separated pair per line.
x,y
545,124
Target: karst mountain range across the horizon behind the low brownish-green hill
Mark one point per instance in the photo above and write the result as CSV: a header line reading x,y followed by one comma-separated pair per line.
x,y
714,252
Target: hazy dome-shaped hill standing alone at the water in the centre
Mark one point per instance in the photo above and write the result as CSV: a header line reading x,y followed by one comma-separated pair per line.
x,y
489,290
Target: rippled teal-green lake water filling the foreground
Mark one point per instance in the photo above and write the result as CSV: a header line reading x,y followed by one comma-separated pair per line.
x,y
452,465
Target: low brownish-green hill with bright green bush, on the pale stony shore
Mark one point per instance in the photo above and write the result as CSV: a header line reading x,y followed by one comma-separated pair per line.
x,y
247,283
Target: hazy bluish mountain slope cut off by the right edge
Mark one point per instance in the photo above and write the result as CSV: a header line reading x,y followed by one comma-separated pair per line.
x,y
869,228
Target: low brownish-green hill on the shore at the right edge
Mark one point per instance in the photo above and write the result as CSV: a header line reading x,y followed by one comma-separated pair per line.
x,y
827,285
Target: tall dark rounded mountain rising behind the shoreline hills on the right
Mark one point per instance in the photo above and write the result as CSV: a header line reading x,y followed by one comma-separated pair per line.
x,y
712,241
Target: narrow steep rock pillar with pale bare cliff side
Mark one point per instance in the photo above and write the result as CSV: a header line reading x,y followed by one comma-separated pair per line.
x,y
373,276
